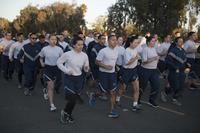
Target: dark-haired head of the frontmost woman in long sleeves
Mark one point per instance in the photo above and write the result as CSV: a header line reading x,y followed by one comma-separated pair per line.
x,y
77,44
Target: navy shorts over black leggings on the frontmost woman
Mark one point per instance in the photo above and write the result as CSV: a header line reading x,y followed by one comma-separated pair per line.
x,y
73,84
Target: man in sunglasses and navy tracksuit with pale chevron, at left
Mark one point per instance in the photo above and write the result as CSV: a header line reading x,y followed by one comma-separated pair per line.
x,y
29,56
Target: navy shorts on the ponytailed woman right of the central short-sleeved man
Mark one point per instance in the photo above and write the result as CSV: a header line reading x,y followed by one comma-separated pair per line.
x,y
129,75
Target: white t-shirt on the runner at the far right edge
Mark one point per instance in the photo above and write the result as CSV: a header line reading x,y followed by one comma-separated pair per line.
x,y
188,45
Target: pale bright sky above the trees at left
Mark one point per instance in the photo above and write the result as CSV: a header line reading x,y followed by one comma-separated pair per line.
x,y
11,8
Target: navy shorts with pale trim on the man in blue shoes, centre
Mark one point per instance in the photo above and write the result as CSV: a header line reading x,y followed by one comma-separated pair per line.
x,y
107,81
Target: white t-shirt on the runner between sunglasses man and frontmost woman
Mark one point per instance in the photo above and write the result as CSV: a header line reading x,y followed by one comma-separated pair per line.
x,y
51,54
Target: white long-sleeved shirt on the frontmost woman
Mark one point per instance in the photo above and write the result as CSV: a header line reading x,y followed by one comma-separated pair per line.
x,y
74,62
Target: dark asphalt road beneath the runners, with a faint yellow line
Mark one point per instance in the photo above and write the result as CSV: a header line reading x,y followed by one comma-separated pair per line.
x,y
30,114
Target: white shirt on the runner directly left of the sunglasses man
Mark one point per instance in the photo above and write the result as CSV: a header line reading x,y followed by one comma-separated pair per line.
x,y
14,49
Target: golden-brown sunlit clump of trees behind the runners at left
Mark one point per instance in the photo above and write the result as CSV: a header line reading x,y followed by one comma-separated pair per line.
x,y
52,19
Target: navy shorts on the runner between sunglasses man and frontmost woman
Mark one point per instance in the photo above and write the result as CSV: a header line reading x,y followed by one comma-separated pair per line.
x,y
51,73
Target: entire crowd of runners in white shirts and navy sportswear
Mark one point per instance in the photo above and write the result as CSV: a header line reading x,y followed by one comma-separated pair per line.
x,y
107,64
